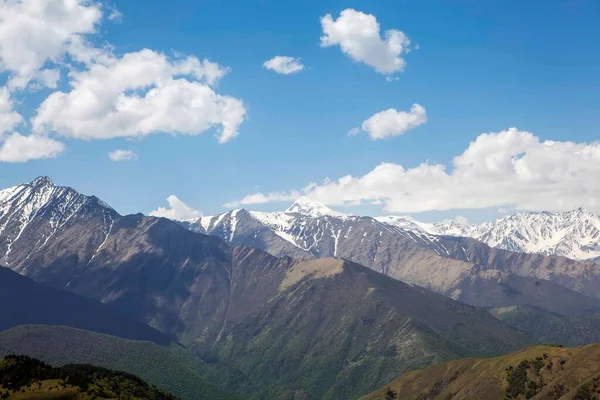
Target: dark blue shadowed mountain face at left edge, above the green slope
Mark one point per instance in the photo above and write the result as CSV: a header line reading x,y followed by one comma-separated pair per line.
x,y
23,301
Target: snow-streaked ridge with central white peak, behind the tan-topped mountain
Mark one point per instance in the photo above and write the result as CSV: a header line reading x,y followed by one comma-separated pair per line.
x,y
445,264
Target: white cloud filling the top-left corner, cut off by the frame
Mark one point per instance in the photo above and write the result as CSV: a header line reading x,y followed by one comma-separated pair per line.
x,y
34,32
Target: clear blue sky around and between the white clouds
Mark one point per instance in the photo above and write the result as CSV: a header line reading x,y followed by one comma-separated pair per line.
x,y
475,66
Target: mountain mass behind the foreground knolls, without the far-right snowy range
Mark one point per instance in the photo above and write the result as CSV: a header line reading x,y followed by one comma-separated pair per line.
x,y
301,304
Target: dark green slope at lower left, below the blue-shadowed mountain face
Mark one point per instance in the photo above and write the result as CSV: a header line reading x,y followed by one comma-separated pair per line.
x,y
170,368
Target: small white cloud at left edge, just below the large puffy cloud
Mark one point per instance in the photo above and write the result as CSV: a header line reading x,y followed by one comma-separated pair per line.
x,y
19,148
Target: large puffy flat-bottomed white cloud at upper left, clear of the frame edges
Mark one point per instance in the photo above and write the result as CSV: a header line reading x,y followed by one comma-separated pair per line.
x,y
138,94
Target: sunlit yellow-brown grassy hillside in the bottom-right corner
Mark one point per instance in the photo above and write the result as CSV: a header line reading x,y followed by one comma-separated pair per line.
x,y
562,373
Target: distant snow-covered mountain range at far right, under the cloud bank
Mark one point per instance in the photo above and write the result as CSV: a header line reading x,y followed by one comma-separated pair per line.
x,y
572,234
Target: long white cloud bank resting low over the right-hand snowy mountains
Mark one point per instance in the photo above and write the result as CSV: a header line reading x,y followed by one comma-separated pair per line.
x,y
509,169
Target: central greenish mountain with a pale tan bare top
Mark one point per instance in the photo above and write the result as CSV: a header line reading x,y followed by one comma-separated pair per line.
x,y
335,328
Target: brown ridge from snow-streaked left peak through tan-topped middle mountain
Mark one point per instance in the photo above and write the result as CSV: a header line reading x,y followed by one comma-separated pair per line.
x,y
222,300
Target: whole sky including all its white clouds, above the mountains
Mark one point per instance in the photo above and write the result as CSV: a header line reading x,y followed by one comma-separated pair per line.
x,y
440,109
